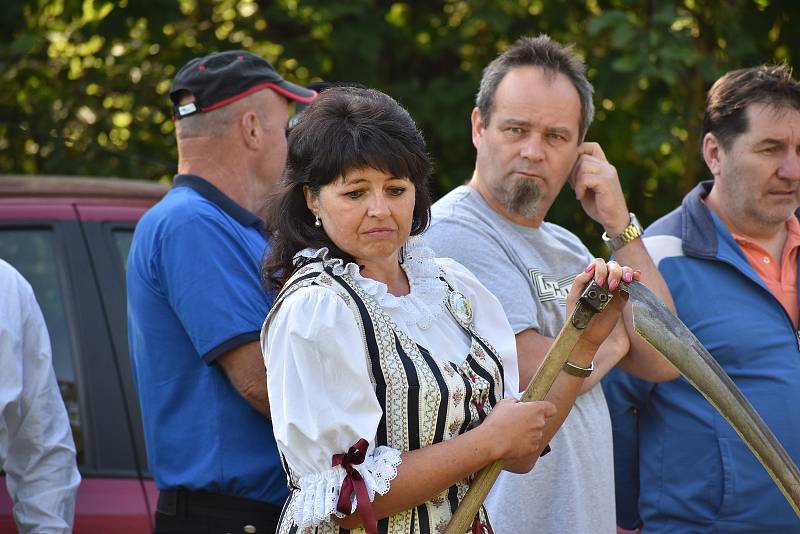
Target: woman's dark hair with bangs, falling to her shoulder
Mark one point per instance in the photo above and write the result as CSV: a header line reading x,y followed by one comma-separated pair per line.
x,y
344,129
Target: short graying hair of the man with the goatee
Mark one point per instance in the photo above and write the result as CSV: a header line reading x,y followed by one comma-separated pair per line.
x,y
542,52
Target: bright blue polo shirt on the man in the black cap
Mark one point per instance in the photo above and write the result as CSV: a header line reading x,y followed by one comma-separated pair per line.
x,y
194,293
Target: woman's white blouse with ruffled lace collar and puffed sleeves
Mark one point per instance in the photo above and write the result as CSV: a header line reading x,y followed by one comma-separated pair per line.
x,y
321,397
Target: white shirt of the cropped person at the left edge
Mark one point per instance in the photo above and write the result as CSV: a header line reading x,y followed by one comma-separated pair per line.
x,y
36,447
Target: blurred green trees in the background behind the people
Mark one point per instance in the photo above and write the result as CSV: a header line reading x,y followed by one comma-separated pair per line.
x,y
83,83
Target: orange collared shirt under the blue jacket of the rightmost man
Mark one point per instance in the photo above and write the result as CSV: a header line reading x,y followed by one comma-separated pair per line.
x,y
781,277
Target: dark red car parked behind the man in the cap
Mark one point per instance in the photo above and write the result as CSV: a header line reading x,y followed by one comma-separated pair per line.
x,y
69,237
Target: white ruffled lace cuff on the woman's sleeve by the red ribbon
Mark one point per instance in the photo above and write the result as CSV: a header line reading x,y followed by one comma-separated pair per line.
x,y
319,492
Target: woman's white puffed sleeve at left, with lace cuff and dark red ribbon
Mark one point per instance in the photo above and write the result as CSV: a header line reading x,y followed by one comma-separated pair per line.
x,y
322,400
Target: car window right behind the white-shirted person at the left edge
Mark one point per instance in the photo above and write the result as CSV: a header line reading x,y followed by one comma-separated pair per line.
x,y
32,253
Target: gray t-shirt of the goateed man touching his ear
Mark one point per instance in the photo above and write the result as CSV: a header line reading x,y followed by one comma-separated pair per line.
x,y
530,270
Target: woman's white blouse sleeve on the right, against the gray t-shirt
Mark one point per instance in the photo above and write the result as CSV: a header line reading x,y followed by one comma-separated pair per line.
x,y
490,320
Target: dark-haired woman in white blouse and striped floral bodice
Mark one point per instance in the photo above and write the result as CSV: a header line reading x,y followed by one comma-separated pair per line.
x,y
391,373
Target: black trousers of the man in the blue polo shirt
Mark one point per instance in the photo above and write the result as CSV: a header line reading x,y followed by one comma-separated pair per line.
x,y
182,512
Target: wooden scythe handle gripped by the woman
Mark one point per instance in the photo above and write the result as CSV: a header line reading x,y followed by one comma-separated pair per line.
x,y
593,300
